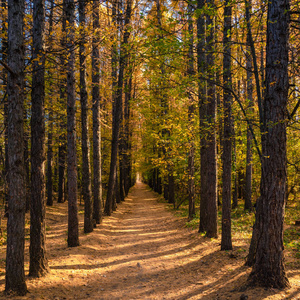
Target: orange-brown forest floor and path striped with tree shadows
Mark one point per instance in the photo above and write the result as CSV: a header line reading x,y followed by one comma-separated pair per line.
x,y
143,251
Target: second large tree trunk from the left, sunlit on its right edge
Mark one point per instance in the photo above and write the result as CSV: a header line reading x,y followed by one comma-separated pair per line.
x,y
38,260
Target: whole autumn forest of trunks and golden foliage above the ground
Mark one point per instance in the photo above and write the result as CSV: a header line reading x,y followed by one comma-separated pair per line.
x,y
198,99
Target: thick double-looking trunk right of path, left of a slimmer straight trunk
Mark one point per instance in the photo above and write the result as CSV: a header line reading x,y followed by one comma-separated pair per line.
x,y
208,172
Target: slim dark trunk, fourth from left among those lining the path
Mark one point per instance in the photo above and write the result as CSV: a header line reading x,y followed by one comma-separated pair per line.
x,y
86,177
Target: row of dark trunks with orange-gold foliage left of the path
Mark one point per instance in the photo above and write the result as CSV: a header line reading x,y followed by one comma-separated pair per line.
x,y
50,52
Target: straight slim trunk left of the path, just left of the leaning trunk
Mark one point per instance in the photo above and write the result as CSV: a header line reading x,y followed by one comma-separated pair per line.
x,y
97,180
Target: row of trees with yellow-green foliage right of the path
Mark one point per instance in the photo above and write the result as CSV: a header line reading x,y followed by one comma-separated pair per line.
x,y
215,57
